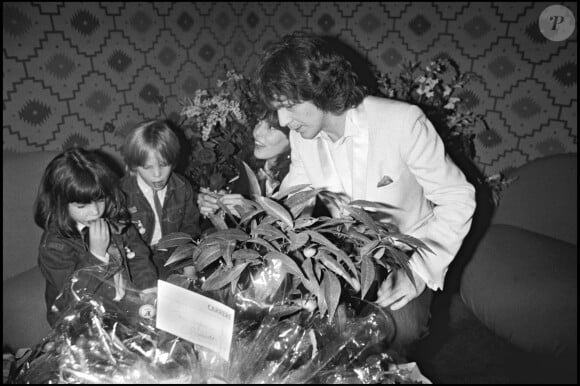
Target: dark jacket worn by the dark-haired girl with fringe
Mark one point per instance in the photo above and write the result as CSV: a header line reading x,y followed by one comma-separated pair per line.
x,y
59,257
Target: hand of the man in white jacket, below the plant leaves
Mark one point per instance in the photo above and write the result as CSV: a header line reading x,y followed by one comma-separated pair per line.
x,y
397,290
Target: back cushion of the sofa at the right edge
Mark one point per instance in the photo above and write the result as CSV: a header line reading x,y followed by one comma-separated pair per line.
x,y
543,198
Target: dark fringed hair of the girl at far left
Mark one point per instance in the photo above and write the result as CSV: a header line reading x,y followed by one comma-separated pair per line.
x,y
81,176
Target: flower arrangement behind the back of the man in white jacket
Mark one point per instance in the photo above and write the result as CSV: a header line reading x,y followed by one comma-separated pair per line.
x,y
433,89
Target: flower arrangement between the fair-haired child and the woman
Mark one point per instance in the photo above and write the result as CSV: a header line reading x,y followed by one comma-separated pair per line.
x,y
219,125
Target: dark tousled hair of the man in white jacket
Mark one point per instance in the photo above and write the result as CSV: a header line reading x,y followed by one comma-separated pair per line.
x,y
304,67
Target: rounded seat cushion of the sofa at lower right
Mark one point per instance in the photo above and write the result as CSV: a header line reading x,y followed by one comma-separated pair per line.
x,y
522,285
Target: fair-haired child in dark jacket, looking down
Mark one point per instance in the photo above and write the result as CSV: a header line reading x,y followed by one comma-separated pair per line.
x,y
160,200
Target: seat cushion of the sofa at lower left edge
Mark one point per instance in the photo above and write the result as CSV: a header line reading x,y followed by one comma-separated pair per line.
x,y
24,310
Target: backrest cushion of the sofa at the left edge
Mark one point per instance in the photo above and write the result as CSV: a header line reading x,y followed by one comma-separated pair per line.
x,y
21,236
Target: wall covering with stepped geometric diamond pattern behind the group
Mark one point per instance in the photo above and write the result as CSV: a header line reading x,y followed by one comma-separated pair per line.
x,y
84,73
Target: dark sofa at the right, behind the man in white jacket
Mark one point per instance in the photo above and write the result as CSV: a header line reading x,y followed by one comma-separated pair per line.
x,y
521,281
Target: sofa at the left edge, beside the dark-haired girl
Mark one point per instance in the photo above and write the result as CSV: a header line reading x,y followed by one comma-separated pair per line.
x,y
23,307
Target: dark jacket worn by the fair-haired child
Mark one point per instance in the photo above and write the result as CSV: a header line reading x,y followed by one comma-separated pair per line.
x,y
180,213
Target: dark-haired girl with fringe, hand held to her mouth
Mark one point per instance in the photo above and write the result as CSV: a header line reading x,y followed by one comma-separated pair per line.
x,y
79,195
